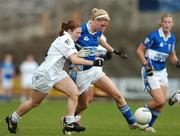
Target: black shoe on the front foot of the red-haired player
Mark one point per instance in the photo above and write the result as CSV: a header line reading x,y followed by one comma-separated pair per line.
x,y
68,128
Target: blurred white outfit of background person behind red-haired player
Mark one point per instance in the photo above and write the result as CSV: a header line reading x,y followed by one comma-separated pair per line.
x,y
27,69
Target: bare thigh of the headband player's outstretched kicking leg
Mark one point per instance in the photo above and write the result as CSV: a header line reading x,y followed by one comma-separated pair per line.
x,y
106,85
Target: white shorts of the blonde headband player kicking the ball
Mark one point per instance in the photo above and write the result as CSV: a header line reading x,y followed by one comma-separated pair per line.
x,y
84,79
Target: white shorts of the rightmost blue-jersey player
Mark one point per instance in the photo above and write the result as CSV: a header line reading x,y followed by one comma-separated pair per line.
x,y
158,79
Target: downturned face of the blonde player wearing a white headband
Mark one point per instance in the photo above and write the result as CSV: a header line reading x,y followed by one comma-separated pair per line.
x,y
100,25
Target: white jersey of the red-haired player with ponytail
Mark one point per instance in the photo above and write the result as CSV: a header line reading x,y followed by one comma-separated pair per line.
x,y
59,51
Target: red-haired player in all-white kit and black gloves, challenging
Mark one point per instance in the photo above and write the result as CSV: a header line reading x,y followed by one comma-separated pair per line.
x,y
50,74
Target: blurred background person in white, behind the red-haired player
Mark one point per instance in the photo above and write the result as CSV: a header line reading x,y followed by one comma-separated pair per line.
x,y
27,69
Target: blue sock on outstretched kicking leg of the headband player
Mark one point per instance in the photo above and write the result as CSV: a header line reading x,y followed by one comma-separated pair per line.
x,y
126,111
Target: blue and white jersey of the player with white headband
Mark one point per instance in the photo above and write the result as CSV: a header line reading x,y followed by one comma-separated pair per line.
x,y
89,41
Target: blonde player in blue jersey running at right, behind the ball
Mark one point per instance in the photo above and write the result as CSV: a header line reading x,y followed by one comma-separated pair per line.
x,y
153,53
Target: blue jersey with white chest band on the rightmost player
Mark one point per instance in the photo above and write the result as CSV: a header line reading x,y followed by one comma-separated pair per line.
x,y
158,48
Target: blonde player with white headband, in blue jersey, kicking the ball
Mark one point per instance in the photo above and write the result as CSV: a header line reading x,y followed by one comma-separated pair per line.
x,y
84,76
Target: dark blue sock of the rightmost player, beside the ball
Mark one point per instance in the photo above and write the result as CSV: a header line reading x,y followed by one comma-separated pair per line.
x,y
155,115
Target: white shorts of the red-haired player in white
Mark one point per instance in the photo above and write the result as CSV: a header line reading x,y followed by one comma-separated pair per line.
x,y
43,82
